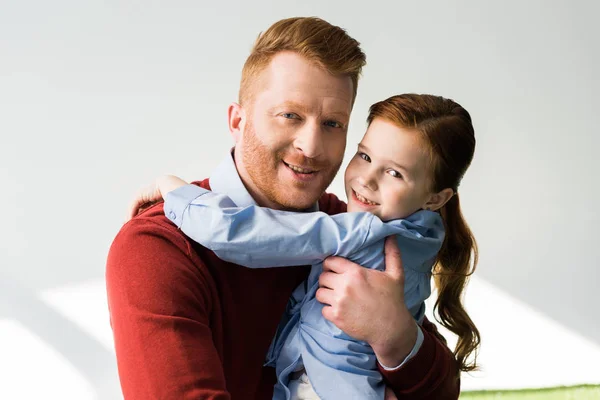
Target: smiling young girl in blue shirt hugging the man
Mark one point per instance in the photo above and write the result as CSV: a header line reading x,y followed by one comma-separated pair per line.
x,y
402,181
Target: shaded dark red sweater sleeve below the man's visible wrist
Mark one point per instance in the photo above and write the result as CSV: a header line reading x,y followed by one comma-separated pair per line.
x,y
431,374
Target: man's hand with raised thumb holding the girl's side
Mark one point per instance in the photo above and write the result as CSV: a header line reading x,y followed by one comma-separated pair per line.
x,y
369,304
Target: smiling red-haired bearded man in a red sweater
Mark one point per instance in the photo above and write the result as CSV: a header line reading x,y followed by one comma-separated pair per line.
x,y
186,324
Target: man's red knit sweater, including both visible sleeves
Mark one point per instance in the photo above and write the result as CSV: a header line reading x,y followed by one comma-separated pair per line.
x,y
188,325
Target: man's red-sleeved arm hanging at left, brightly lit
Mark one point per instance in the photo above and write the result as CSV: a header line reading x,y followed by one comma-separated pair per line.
x,y
159,307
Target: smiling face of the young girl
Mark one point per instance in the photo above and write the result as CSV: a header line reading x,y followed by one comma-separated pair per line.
x,y
389,175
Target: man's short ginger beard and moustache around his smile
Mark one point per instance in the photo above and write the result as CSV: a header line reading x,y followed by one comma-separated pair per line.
x,y
262,164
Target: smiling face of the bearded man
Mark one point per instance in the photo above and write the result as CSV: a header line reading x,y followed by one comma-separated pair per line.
x,y
292,137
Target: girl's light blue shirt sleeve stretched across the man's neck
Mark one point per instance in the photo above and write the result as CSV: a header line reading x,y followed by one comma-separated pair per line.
x,y
259,237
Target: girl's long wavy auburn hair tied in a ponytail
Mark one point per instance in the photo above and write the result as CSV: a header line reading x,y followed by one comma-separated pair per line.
x,y
447,129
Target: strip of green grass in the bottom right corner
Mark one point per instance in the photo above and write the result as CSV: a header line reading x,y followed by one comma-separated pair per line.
x,y
584,392
